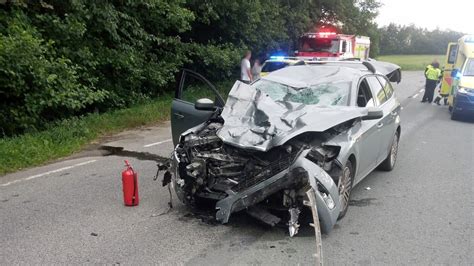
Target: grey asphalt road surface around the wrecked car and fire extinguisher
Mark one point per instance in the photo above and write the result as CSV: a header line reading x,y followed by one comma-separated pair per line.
x,y
420,213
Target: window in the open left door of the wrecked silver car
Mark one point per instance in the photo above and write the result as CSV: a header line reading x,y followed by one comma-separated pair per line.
x,y
194,89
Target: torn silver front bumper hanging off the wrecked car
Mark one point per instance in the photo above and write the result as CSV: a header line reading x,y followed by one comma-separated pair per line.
x,y
326,191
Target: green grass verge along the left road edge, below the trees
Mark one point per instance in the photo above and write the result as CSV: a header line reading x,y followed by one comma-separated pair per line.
x,y
66,137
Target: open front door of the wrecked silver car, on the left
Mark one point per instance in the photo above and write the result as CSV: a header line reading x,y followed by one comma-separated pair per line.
x,y
191,87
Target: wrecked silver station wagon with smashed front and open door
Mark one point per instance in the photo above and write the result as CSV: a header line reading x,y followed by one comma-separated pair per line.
x,y
302,132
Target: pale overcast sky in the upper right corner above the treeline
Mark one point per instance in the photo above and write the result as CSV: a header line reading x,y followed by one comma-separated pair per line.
x,y
448,14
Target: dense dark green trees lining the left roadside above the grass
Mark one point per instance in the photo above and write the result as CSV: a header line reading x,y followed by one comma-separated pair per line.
x,y
62,58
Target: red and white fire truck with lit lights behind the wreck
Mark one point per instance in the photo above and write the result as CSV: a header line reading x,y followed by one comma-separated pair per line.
x,y
329,45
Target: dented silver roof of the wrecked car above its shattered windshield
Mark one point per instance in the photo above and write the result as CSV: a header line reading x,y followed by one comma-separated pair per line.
x,y
307,75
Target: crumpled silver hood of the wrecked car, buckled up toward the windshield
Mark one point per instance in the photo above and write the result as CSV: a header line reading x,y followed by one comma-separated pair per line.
x,y
253,120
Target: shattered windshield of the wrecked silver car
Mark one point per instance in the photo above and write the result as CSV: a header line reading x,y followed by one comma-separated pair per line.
x,y
323,94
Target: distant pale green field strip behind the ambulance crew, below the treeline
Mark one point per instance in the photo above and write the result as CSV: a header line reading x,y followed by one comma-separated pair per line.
x,y
412,62
